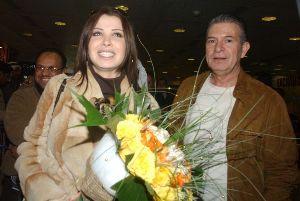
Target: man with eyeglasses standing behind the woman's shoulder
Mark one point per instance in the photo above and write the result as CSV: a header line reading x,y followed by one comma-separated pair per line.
x,y
20,108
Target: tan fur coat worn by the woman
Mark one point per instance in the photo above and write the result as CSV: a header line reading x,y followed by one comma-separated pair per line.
x,y
53,158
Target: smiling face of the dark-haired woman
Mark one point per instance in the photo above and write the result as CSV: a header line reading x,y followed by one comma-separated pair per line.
x,y
107,46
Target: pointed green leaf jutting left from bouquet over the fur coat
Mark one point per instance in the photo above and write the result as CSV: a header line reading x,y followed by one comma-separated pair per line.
x,y
93,116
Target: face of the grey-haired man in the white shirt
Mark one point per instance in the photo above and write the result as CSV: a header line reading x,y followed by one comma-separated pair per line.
x,y
224,49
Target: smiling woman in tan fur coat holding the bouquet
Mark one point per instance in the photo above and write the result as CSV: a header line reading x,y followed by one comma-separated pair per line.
x,y
53,158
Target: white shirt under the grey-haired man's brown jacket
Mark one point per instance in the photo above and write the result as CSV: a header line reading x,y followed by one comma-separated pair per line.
x,y
212,109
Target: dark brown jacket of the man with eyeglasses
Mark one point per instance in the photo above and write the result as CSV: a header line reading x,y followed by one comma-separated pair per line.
x,y
19,111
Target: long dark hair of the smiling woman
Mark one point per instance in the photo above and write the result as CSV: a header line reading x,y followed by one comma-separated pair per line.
x,y
130,61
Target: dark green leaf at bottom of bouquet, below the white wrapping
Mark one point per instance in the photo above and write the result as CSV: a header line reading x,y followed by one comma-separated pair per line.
x,y
131,189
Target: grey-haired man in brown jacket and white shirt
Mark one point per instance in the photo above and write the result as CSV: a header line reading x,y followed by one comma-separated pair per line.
x,y
253,155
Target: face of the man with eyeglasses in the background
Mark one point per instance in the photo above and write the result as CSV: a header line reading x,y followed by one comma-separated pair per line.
x,y
45,68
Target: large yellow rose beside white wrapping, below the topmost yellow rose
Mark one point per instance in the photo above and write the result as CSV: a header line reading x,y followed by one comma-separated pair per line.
x,y
143,164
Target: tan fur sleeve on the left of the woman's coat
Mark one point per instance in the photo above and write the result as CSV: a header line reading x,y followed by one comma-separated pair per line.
x,y
36,184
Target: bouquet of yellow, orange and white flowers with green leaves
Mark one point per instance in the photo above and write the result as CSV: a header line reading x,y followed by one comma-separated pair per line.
x,y
151,164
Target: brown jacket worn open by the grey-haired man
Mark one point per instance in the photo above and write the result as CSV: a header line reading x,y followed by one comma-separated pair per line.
x,y
261,154
